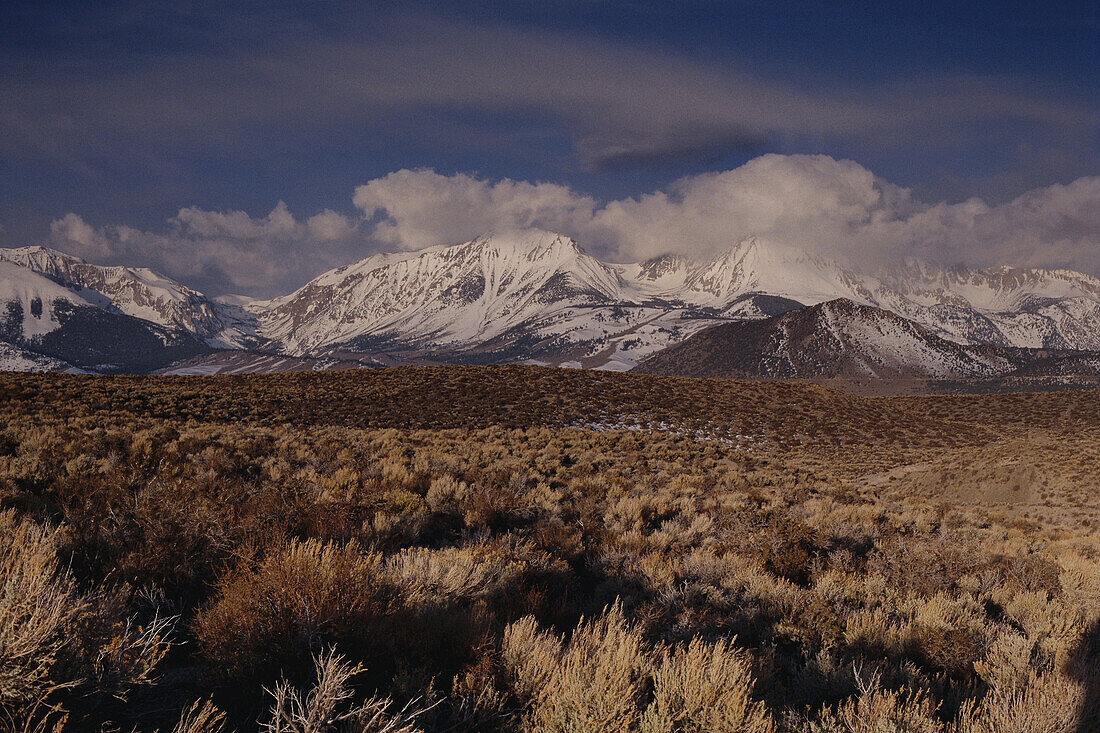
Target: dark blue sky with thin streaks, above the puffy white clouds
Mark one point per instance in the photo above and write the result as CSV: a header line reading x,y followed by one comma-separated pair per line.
x,y
127,113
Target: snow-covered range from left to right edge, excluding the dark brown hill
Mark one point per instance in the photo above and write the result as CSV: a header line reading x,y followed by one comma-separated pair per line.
x,y
537,297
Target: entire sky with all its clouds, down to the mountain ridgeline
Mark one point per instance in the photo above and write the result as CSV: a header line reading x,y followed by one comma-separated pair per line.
x,y
246,147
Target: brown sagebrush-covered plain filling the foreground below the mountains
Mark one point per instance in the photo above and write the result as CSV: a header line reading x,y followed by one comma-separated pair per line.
x,y
519,549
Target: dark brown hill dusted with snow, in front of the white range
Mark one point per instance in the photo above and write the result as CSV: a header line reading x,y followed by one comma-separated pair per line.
x,y
837,338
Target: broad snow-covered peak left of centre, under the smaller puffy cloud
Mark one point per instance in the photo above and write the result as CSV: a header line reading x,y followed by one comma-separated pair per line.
x,y
453,296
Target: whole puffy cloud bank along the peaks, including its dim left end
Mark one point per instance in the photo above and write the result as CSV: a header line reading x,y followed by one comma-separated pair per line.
x,y
827,207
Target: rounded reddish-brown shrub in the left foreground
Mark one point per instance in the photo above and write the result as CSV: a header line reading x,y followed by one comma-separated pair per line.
x,y
273,616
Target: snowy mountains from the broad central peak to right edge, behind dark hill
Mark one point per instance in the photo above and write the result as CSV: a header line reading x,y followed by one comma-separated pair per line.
x,y
537,296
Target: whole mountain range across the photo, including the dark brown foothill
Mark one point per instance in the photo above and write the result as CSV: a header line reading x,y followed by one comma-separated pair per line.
x,y
536,297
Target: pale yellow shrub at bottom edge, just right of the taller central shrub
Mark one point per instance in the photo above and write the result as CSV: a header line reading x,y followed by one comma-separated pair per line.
x,y
705,688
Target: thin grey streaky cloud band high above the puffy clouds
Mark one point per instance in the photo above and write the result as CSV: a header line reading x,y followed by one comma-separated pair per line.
x,y
619,104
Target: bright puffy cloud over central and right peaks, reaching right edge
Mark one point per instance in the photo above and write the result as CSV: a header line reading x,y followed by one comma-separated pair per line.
x,y
811,203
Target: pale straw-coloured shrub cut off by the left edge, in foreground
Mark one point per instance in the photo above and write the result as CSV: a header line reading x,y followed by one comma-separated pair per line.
x,y
38,606
